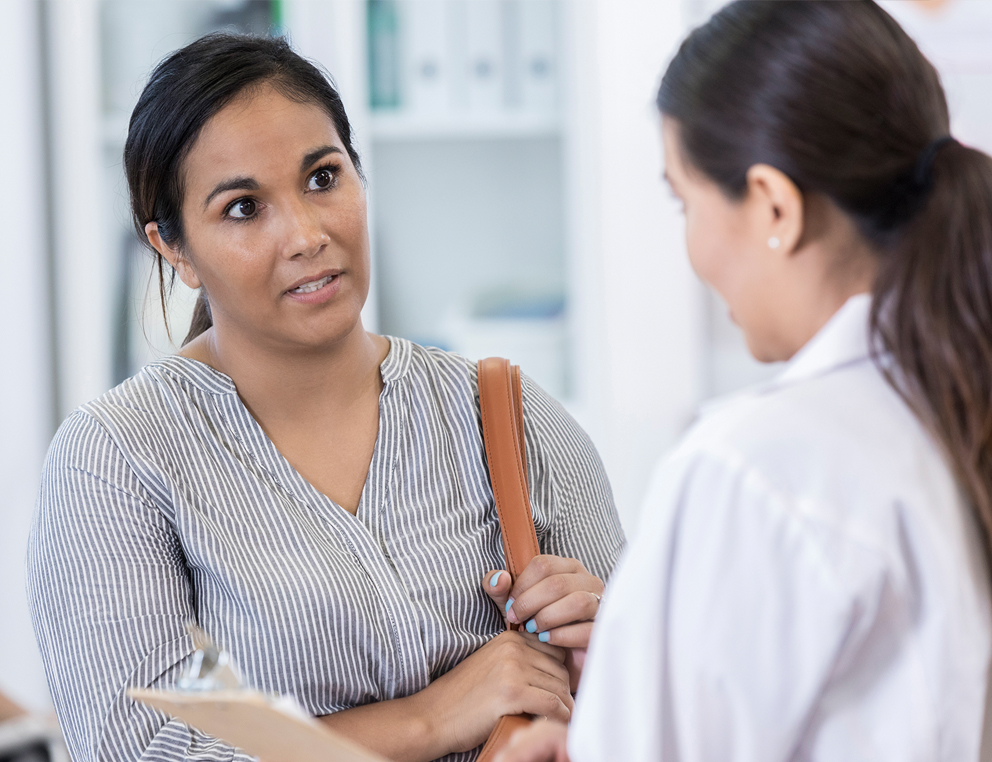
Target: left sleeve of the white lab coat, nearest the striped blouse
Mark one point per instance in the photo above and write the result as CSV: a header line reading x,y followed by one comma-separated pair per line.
x,y
735,608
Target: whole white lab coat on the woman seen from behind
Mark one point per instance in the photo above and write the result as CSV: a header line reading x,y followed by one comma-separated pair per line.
x,y
806,583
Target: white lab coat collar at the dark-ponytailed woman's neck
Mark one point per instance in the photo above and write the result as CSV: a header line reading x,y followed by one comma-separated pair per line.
x,y
842,341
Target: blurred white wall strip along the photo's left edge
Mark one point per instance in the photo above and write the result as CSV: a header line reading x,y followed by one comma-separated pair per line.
x,y
25,385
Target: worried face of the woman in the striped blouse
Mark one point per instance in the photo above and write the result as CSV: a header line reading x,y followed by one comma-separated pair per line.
x,y
275,218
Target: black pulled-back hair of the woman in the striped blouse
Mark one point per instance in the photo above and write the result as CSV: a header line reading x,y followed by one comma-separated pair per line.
x,y
184,91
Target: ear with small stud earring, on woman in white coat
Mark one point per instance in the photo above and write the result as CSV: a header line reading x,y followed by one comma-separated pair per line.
x,y
777,207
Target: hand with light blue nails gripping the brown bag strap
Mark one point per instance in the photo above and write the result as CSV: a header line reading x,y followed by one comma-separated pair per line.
x,y
555,598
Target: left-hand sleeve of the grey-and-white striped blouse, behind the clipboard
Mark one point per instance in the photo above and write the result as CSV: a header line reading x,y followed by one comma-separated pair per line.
x,y
110,594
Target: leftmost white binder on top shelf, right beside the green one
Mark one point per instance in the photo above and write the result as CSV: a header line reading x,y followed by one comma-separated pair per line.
x,y
426,61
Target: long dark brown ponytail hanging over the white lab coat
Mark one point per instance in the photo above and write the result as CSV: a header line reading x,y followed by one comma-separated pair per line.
x,y
932,315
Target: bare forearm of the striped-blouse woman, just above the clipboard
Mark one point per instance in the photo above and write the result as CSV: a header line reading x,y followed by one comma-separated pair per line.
x,y
413,735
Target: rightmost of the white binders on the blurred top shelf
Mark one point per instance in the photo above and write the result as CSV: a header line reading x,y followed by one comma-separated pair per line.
x,y
538,62
